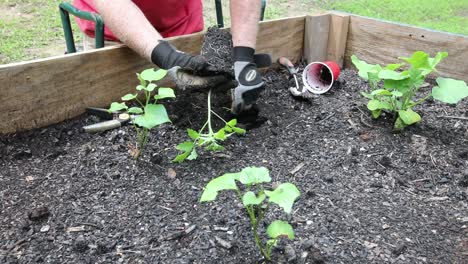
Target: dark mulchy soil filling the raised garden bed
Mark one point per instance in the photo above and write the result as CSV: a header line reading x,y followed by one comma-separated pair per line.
x,y
367,195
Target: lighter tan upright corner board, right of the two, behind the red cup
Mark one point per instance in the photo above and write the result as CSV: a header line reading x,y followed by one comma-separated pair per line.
x,y
337,38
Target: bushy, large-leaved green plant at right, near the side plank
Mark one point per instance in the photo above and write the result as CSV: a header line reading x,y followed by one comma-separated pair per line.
x,y
395,86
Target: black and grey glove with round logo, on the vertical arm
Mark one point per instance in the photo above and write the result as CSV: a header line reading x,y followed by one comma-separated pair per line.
x,y
250,82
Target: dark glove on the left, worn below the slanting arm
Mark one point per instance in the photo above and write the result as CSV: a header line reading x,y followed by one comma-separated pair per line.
x,y
188,71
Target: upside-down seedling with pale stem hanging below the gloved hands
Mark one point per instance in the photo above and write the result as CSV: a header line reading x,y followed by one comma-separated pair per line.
x,y
209,140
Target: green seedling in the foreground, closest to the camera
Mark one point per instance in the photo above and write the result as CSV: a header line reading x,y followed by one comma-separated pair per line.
x,y
257,201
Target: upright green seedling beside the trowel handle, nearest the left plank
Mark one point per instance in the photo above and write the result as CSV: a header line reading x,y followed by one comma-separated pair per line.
x,y
148,113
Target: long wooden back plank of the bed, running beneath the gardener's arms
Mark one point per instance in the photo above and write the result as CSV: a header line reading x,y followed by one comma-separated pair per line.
x,y
43,92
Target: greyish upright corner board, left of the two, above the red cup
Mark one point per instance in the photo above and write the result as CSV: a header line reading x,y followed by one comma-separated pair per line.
x,y
316,37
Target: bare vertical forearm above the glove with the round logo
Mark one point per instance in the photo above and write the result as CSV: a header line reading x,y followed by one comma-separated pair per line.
x,y
245,15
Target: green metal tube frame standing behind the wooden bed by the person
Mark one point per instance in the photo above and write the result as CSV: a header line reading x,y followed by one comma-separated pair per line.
x,y
66,9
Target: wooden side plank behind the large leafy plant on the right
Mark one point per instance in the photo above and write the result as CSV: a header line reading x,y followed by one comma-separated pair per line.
x,y
377,41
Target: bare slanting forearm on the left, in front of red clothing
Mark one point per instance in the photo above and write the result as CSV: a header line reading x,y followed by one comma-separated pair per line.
x,y
130,25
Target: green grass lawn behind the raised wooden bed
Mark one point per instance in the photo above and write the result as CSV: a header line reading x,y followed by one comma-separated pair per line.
x,y
32,29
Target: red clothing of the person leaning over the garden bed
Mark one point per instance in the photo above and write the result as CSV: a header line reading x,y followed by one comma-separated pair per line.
x,y
169,17
